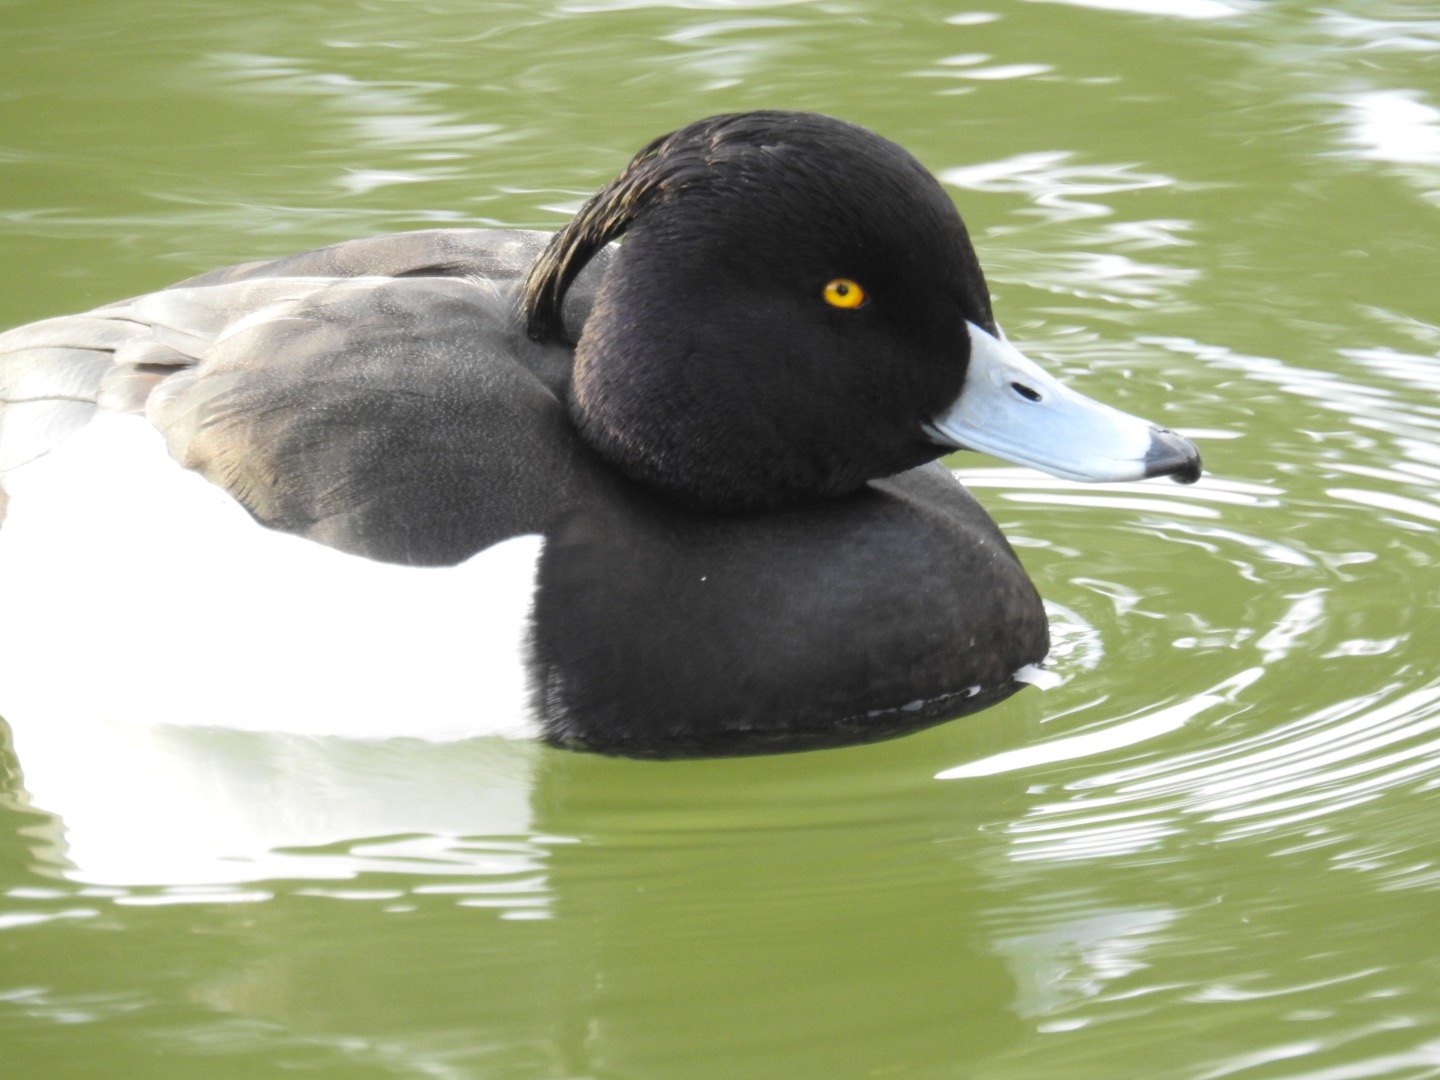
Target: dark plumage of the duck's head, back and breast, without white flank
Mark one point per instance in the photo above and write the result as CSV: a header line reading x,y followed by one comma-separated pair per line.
x,y
747,542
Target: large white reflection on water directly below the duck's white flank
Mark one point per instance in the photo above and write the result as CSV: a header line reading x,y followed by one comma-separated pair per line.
x,y
188,814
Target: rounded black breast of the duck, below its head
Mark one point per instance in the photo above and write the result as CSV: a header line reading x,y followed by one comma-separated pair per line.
x,y
665,634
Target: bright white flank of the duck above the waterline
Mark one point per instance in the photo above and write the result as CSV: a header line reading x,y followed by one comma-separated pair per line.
x,y
136,593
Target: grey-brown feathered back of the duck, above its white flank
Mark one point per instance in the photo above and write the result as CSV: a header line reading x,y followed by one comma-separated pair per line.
x,y
378,395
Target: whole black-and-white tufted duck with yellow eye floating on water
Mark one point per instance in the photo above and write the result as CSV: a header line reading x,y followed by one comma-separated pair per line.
x,y
666,483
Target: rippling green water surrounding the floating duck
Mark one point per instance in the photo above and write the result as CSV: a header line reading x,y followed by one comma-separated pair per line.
x,y
1210,852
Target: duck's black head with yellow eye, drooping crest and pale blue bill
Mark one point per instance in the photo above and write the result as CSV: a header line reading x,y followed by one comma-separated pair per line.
x,y
797,310
